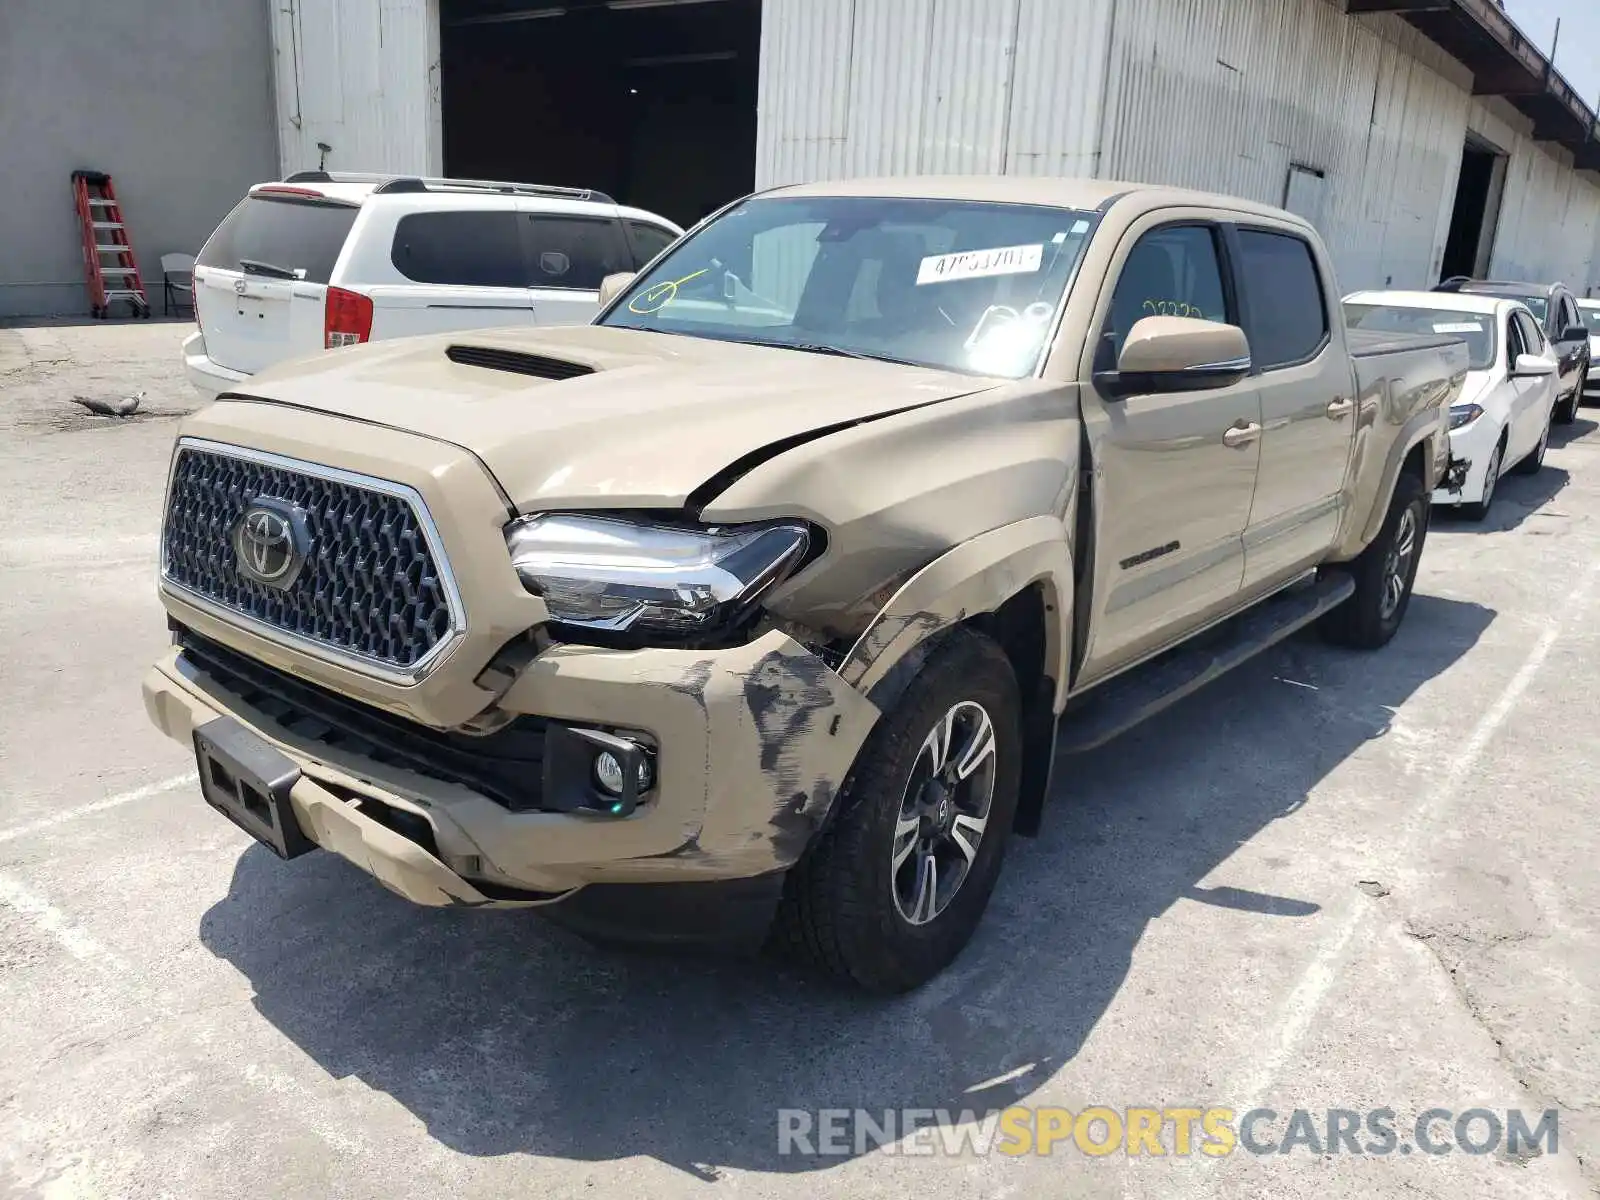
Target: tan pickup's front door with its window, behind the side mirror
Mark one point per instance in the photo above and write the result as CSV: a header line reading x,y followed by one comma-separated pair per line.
x,y
1172,484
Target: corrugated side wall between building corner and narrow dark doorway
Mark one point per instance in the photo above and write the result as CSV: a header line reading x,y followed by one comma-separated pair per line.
x,y
1226,95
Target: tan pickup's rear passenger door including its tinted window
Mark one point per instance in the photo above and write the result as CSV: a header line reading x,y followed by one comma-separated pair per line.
x,y
1306,399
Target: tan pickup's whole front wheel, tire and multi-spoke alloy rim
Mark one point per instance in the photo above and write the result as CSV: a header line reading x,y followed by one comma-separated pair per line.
x,y
897,884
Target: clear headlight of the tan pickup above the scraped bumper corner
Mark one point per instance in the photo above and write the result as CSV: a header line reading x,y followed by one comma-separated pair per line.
x,y
622,575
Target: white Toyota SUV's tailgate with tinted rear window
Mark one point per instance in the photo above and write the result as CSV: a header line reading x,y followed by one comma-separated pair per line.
x,y
262,278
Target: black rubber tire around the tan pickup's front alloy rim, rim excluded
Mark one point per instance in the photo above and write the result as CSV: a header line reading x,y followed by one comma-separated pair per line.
x,y
839,911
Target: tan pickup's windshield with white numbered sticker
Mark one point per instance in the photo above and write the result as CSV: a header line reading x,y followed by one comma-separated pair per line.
x,y
958,286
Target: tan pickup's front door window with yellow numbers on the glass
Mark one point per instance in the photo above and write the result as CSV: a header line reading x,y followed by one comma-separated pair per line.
x,y
1170,273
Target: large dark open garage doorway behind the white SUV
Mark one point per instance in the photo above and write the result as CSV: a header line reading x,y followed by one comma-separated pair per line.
x,y
652,102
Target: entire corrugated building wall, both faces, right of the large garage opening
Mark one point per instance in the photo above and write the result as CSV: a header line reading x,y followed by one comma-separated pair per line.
x,y
1223,95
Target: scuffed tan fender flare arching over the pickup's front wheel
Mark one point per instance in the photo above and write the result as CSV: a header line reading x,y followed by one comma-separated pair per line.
x,y
977,577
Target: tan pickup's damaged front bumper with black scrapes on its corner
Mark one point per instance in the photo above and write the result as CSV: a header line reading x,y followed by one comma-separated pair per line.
x,y
750,746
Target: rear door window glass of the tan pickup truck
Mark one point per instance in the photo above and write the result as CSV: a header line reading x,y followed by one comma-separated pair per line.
x,y
1289,322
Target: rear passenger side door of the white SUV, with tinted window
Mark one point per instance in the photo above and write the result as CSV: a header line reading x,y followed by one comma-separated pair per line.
x,y
567,257
